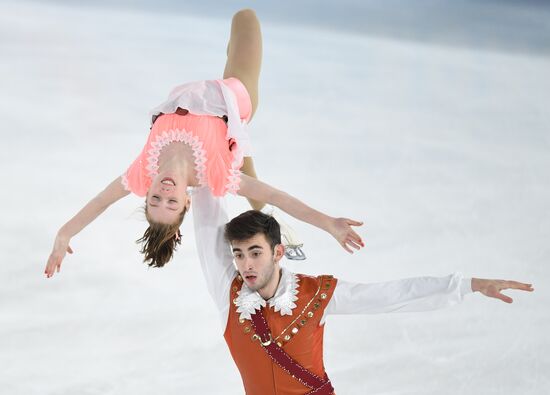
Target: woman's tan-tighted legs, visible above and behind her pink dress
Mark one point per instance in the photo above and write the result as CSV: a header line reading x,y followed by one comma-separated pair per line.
x,y
244,60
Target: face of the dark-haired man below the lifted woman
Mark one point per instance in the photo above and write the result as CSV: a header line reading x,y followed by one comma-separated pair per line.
x,y
257,262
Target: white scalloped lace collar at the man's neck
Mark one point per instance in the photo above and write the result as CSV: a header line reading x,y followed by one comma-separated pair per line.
x,y
249,301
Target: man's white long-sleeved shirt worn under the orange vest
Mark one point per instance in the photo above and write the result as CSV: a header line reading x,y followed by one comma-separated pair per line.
x,y
411,294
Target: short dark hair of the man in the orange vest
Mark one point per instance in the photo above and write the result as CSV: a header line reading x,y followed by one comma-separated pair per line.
x,y
249,224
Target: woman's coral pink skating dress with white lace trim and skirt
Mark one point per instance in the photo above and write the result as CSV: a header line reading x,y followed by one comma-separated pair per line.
x,y
218,147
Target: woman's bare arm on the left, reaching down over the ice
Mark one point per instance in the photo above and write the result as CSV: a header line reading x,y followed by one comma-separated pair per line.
x,y
113,192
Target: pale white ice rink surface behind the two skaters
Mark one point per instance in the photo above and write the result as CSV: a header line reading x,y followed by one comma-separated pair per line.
x,y
443,150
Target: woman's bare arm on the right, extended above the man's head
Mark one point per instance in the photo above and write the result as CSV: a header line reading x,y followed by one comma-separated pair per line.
x,y
339,228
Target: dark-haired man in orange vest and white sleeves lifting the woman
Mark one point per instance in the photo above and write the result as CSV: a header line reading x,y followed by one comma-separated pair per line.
x,y
274,319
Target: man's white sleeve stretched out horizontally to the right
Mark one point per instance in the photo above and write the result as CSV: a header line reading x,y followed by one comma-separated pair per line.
x,y
410,294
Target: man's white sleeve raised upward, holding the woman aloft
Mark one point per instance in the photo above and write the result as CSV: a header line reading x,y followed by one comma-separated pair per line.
x,y
209,218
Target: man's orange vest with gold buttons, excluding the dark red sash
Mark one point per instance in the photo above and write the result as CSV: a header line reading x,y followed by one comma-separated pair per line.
x,y
299,335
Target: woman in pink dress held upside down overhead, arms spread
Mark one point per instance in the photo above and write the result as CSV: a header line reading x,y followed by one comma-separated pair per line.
x,y
198,138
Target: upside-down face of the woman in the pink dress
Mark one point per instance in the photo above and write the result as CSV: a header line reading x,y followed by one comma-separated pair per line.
x,y
166,199
